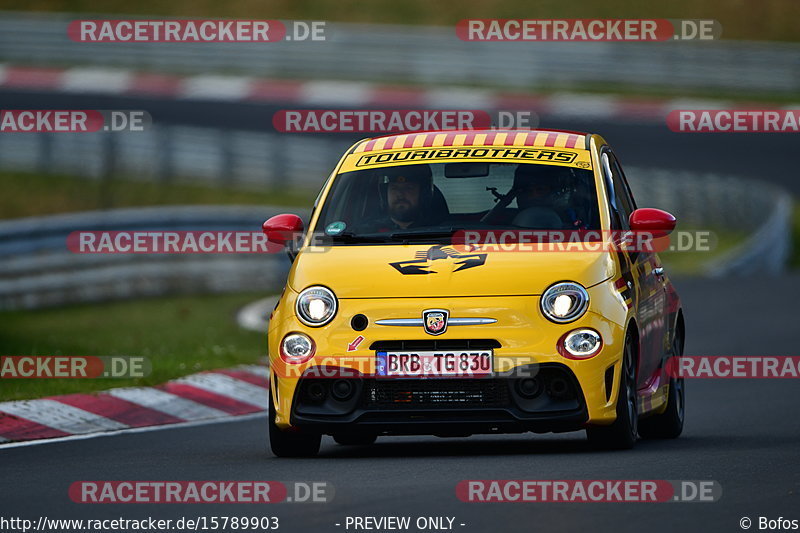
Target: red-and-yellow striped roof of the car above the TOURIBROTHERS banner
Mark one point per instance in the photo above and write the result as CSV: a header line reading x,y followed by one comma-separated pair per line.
x,y
478,137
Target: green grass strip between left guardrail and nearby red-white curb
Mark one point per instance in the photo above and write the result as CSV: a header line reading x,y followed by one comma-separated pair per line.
x,y
180,335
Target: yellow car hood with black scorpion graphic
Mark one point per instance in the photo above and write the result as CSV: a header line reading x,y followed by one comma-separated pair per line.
x,y
389,271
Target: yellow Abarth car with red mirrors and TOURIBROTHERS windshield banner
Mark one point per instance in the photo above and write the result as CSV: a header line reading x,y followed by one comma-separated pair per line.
x,y
460,282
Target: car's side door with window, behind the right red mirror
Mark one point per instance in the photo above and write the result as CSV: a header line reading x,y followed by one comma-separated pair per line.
x,y
643,269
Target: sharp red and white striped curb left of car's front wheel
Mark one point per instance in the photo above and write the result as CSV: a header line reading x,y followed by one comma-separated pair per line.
x,y
205,396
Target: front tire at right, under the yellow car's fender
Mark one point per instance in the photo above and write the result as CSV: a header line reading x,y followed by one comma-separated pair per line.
x,y
621,435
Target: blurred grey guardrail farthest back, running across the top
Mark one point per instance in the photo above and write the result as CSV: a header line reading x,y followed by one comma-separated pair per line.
x,y
424,55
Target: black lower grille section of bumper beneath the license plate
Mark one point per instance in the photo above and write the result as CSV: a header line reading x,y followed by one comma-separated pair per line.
x,y
553,401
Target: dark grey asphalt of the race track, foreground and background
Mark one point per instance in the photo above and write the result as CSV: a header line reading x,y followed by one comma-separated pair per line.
x,y
742,433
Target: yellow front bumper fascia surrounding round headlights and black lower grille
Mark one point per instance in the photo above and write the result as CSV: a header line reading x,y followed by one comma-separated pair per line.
x,y
522,336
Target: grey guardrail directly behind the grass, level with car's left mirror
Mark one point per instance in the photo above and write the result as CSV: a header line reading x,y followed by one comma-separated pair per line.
x,y
37,270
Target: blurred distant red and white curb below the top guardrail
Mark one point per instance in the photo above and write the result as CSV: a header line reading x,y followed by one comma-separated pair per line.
x,y
334,93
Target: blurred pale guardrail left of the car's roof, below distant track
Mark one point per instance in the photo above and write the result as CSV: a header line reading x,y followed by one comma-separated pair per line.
x,y
205,155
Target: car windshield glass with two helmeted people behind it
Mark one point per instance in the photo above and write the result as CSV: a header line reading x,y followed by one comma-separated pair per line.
x,y
381,204
